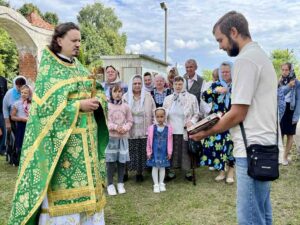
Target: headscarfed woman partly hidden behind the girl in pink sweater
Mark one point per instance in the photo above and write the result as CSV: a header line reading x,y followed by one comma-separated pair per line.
x,y
112,78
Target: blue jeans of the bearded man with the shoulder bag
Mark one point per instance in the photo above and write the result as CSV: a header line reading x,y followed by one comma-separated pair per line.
x,y
253,197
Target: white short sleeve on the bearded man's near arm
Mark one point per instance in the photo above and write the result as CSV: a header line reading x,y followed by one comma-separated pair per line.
x,y
244,83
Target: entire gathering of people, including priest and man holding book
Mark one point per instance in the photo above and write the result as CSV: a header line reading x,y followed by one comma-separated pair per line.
x,y
79,132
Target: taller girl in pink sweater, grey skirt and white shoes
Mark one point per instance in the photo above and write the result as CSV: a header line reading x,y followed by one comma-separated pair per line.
x,y
117,153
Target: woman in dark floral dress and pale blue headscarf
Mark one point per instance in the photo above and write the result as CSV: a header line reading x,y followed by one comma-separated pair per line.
x,y
217,149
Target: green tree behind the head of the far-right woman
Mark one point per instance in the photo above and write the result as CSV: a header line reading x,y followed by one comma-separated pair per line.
x,y
280,56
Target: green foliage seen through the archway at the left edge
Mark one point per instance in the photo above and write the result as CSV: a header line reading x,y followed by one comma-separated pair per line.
x,y
8,56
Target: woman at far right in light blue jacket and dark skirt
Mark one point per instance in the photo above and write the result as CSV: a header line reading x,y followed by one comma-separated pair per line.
x,y
289,106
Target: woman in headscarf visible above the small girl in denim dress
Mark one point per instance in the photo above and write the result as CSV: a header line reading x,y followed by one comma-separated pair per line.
x,y
159,91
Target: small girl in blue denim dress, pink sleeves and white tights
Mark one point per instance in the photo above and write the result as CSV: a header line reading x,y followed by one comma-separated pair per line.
x,y
159,149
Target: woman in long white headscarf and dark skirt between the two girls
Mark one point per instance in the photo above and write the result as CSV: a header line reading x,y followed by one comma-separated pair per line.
x,y
142,106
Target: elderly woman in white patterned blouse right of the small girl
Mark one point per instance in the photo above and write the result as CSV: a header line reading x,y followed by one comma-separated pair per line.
x,y
183,111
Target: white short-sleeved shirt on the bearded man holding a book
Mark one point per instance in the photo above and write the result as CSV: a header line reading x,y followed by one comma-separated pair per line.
x,y
255,84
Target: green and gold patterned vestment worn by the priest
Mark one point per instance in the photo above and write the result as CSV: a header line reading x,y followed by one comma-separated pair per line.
x,y
63,150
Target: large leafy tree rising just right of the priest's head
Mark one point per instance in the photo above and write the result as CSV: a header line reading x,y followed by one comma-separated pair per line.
x,y
100,33
